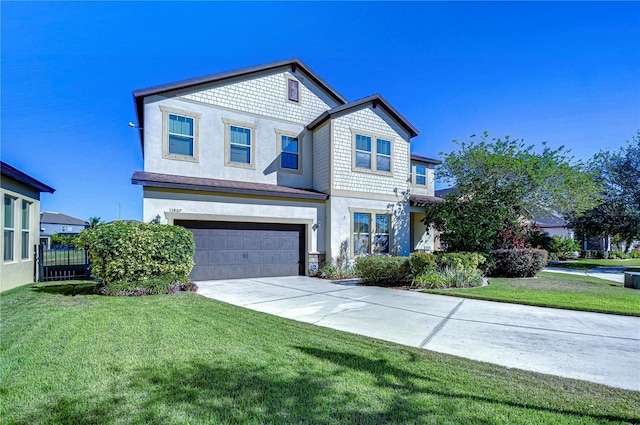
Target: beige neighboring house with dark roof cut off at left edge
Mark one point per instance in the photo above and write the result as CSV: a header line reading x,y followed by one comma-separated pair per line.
x,y
20,212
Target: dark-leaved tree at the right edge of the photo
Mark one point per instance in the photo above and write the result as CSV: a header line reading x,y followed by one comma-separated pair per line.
x,y
618,215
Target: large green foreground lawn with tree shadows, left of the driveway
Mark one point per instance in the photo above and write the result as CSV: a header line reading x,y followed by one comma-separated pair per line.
x,y
71,357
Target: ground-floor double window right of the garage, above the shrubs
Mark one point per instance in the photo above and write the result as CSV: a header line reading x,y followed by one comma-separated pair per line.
x,y
371,233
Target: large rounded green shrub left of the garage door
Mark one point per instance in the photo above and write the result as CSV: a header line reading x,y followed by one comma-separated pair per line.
x,y
128,251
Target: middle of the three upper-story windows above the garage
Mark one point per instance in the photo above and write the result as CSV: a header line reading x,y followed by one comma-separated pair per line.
x,y
239,144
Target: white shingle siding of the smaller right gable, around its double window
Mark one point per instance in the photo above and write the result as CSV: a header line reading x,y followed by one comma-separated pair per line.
x,y
368,120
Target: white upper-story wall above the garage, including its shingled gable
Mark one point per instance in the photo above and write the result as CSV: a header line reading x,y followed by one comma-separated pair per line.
x,y
261,102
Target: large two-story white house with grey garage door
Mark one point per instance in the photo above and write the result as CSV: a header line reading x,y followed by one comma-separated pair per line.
x,y
274,171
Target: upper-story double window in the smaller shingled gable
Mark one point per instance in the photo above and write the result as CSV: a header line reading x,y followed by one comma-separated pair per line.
x,y
372,153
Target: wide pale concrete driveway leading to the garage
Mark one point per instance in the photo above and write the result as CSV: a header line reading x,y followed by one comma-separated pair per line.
x,y
601,348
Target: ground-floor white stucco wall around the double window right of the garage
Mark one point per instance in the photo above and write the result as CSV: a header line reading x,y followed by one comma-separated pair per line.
x,y
340,210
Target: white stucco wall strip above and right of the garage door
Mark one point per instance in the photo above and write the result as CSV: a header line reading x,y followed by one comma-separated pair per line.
x,y
188,205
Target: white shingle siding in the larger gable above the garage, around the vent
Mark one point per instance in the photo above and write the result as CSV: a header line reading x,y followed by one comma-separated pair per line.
x,y
267,95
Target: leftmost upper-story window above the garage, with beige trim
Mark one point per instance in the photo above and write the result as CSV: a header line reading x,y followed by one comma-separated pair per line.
x,y
180,134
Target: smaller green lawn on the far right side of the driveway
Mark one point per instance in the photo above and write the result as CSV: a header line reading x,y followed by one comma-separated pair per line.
x,y
557,290
